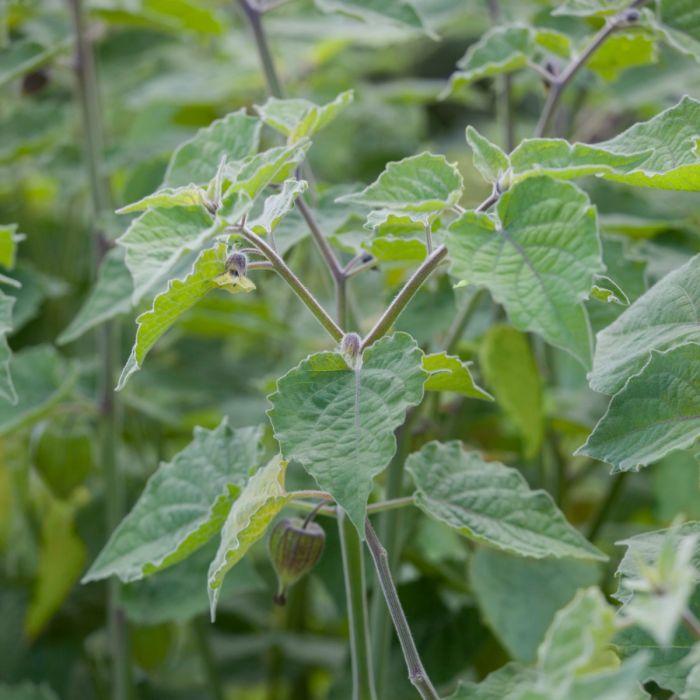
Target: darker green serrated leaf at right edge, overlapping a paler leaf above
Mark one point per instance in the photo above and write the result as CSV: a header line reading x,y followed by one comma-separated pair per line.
x,y
657,411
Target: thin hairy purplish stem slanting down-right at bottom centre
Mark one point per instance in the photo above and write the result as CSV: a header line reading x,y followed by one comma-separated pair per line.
x,y
416,672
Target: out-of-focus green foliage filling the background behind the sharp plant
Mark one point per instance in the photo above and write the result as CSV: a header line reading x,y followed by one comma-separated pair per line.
x,y
166,68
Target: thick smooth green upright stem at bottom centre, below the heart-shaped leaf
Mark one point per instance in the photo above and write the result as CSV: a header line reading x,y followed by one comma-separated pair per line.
x,y
355,592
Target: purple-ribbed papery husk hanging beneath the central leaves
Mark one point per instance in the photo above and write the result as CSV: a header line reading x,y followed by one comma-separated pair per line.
x,y
295,546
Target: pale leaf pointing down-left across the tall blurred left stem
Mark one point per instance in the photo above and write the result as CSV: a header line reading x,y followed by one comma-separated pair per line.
x,y
110,297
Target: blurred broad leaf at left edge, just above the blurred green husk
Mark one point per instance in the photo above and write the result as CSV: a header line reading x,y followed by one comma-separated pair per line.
x,y
42,378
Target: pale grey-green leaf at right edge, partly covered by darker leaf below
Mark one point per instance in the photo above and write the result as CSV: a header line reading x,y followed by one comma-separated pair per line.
x,y
663,318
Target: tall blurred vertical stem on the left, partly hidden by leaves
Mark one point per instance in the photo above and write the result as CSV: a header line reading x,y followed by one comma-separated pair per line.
x,y
121,681
